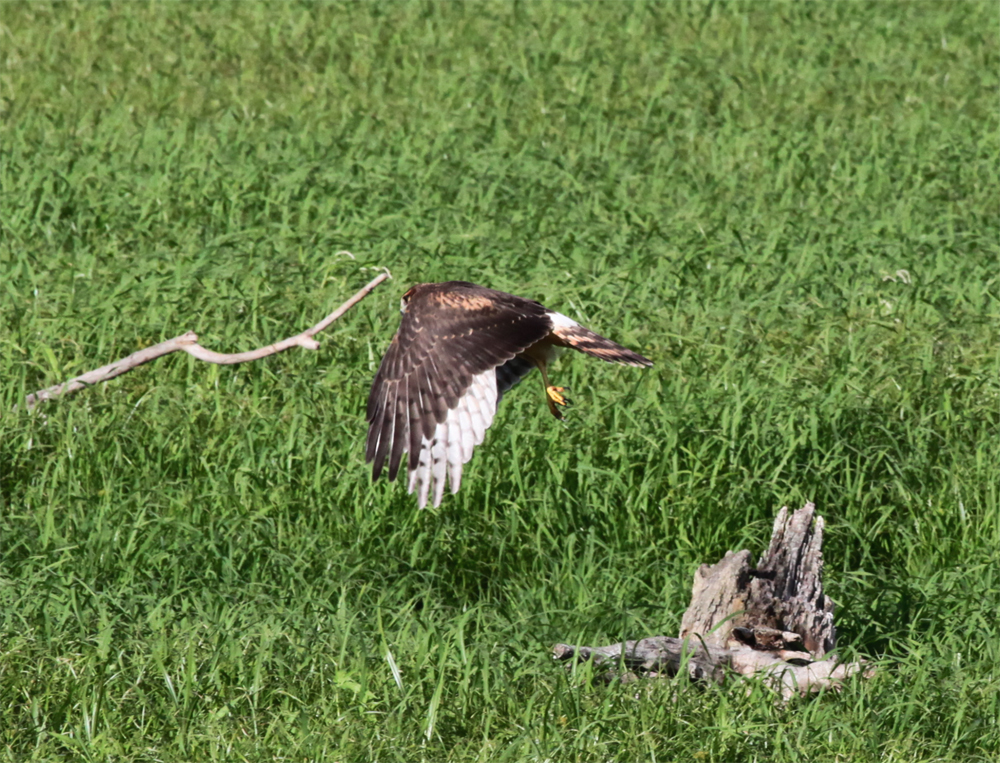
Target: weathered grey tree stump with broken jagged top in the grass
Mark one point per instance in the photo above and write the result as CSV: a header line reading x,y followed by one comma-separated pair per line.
x,y
771,620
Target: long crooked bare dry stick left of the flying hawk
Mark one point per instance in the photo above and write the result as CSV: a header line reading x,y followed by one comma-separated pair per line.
x,y
189,343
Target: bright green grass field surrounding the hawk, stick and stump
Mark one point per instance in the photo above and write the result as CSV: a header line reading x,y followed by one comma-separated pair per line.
x,y
794,209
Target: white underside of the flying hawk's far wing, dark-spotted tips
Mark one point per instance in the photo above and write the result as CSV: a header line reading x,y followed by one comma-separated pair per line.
x,y
453,440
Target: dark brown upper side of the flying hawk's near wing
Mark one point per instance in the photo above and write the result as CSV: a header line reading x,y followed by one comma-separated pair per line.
x,y
449,333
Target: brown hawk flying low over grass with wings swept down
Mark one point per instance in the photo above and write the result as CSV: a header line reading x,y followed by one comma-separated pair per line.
x,y
458,349
